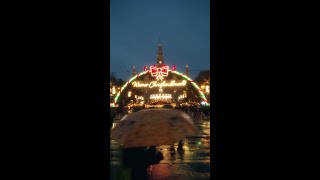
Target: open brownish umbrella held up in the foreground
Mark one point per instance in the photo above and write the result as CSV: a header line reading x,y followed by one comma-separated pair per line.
x,y
152,127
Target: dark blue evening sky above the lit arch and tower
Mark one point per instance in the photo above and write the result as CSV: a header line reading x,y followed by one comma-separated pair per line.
x,y
182,25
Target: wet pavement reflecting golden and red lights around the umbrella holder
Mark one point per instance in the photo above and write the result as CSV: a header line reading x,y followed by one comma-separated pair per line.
x,y
192,162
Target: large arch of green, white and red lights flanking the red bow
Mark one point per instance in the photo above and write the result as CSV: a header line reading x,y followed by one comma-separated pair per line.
x,y
202,96
